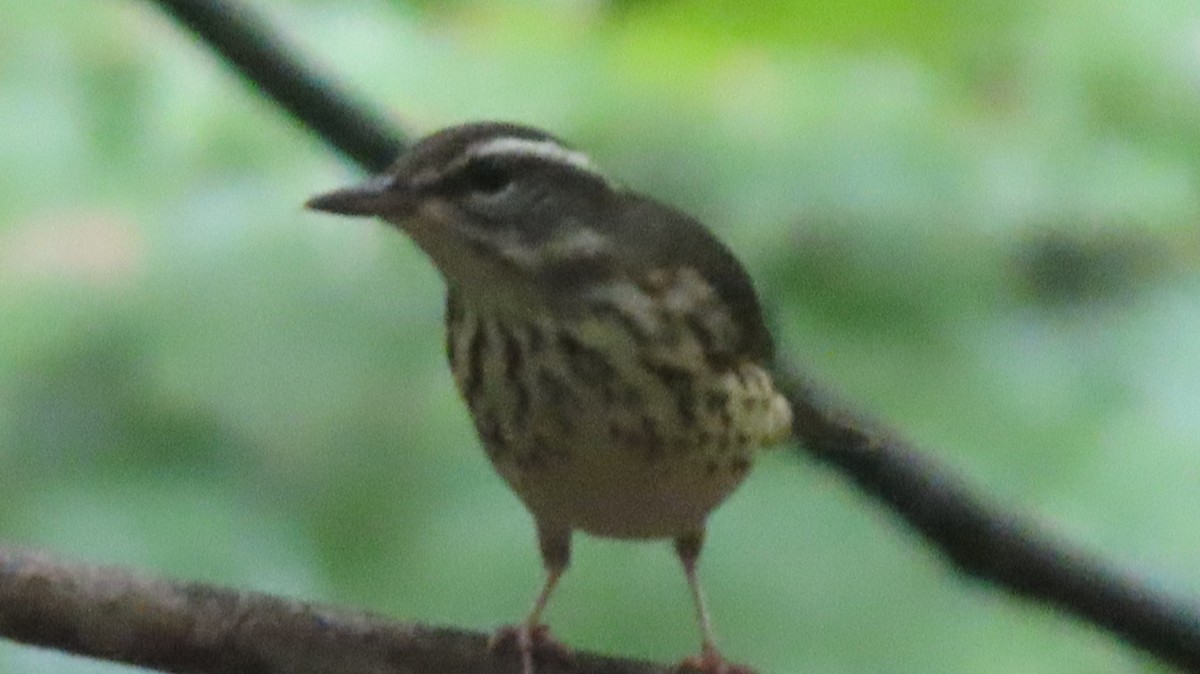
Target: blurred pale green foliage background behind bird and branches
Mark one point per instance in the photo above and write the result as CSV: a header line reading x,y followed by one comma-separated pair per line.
x,y
979,220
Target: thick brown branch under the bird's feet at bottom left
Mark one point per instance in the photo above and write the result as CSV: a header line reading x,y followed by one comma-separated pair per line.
x,y
194,629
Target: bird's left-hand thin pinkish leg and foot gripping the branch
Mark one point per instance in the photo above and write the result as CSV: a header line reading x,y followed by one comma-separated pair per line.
x,y
532,636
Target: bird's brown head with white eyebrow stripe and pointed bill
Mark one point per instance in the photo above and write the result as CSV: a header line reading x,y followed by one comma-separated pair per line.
x,y
506,212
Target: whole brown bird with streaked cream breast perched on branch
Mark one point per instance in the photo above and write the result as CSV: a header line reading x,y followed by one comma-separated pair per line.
x,y
610,348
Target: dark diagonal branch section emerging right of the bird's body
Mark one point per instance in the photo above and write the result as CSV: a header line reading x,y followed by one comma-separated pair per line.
x,y
987,544
